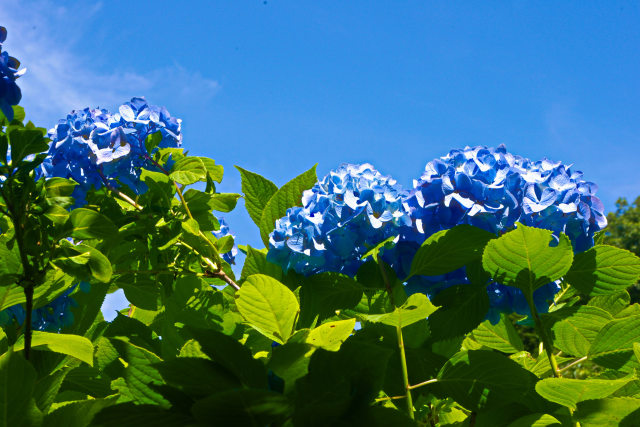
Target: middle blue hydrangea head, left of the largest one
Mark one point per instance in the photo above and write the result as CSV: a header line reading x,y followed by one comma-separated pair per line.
x,y
349,211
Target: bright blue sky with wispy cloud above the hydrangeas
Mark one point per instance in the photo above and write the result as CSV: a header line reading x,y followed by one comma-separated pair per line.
x,y
276,86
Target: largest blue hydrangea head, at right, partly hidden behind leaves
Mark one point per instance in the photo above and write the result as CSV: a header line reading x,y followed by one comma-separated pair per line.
x,y
493,189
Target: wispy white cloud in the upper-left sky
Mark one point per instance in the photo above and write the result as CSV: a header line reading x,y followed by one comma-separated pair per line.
x,y
44,36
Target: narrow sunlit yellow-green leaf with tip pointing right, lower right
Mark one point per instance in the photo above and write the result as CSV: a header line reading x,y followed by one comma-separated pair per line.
x,y
568,392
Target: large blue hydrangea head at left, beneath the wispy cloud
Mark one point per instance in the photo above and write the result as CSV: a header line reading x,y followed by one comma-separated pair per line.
x,y
96,148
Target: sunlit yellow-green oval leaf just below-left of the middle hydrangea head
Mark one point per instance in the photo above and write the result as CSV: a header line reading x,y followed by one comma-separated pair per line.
x,y
269,306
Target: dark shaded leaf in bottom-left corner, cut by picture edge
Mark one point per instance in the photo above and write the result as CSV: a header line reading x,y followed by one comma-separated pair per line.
x,y
17,381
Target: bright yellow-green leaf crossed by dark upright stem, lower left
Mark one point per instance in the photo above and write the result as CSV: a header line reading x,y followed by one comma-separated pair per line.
x,y
73,345
